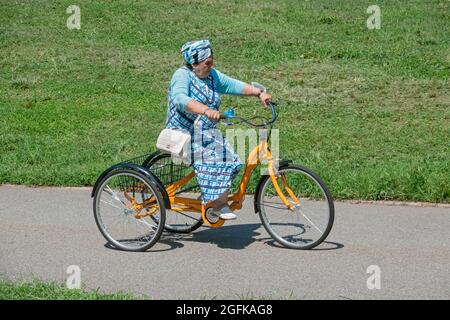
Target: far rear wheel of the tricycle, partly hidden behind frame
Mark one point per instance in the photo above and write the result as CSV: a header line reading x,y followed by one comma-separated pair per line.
x,y
162,166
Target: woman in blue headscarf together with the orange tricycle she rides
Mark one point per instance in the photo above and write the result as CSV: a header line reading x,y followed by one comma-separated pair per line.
x,y
135,201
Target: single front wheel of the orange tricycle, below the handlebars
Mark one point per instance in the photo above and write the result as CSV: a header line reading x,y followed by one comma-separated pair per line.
x,y
309,220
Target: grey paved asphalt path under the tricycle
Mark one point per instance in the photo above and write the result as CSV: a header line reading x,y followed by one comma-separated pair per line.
x,y
45,230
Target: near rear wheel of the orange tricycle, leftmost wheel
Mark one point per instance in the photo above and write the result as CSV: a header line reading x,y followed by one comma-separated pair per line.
x,y
110,190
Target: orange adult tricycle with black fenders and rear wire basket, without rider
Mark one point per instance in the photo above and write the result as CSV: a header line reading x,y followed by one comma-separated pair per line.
x,y
136,200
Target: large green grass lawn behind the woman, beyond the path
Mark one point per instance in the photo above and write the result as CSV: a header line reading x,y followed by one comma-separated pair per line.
x,y
366,109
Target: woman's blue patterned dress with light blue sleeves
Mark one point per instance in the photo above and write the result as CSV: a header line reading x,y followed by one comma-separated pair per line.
x,y
213,159
